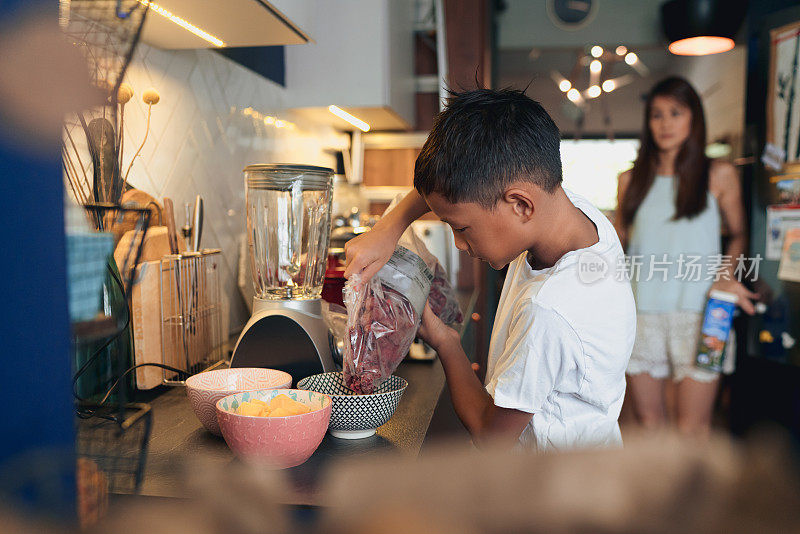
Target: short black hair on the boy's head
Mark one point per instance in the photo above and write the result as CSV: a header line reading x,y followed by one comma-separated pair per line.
x,y
485,140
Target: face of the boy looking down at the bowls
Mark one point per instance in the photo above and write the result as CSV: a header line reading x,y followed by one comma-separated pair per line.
x,y
490,235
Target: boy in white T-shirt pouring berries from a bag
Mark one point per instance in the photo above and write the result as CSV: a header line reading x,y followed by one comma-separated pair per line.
x,y
565,322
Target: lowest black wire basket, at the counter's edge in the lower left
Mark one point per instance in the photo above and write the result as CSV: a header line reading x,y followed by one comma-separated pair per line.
x,y
116,441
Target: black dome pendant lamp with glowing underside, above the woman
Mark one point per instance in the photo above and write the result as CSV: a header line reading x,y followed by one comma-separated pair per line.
x,y
702,27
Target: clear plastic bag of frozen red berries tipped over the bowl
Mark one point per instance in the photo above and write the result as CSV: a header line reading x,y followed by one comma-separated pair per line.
x,y
383,316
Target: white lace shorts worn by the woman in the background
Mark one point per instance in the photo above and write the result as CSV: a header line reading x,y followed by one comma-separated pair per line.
x,y
666,347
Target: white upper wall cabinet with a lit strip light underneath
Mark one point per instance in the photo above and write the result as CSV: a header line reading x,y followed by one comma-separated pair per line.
x,y
361,60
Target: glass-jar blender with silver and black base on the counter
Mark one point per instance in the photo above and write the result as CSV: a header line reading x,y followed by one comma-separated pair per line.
x,y
288,232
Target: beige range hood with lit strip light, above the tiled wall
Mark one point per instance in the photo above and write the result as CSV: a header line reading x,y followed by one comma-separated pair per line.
x,y
183,24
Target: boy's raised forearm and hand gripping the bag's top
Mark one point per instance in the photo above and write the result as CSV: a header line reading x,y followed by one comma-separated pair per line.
x,y
370,251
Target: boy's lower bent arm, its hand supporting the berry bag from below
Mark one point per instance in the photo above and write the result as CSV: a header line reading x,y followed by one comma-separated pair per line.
x,y
474,406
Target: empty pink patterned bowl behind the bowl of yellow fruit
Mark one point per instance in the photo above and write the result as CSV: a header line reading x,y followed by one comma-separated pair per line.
x,y
205,389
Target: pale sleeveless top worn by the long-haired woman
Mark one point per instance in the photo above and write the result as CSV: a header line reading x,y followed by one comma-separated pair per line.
x,y
672,262
